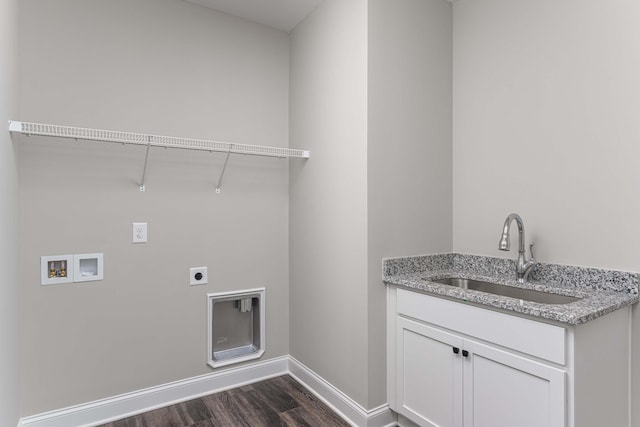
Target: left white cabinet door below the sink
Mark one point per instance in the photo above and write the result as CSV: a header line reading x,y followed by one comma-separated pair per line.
x,y
428,375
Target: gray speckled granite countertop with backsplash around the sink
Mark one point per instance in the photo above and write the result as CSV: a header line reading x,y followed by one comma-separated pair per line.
x,y
601,291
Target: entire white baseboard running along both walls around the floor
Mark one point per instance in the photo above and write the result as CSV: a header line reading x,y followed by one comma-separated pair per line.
x,y
129,404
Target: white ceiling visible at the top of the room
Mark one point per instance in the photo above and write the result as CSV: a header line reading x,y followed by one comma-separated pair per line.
x,y
281,14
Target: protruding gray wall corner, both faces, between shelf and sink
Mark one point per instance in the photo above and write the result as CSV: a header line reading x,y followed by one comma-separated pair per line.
x,y
372,101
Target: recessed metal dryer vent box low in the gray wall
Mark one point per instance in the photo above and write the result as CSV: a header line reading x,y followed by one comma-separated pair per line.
x,y
235,327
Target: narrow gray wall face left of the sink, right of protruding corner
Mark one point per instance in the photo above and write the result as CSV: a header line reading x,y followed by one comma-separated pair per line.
x,y
408,148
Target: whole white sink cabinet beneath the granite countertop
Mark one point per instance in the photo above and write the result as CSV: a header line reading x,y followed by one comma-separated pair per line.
x,y
452,364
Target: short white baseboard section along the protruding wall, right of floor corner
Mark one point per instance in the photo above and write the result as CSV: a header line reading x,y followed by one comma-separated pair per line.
x,y
346,407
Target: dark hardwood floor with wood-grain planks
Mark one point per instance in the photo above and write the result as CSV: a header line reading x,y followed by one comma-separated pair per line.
x,y
279,401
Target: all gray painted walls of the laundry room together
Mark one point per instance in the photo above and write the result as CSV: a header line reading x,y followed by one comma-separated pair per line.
x,y
545,98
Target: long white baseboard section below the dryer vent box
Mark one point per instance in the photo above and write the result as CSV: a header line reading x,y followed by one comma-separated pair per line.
x,y
129,404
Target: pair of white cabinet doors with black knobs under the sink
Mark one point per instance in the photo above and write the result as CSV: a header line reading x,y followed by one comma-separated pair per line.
x,y
450,381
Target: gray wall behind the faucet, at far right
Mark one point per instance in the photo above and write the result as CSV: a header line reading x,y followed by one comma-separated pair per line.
x,y
546,106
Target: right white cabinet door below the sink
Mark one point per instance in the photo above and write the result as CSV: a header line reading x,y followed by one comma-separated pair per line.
x,y
502,389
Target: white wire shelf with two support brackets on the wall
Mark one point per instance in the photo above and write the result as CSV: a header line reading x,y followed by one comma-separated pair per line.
x,y
77,133
